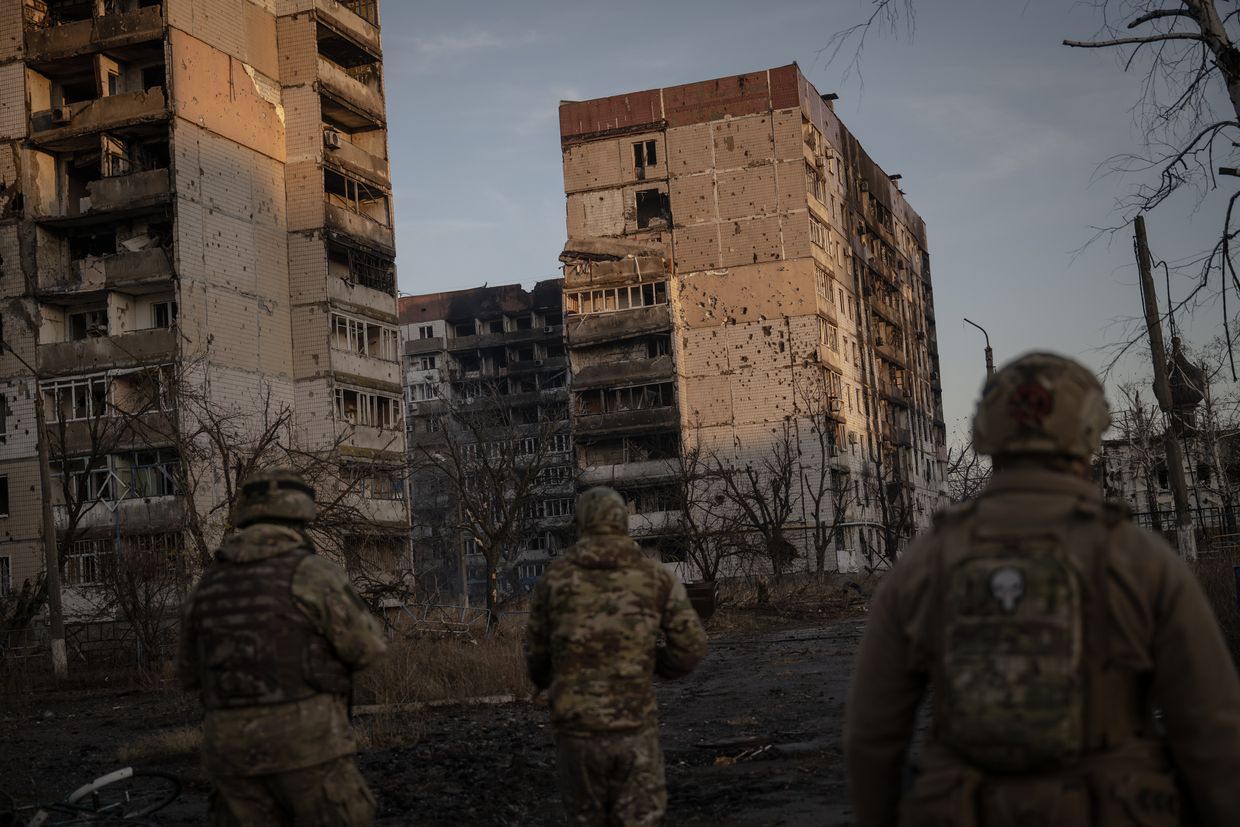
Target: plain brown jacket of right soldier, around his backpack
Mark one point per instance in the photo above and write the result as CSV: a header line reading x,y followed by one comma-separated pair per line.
x,y
1161,642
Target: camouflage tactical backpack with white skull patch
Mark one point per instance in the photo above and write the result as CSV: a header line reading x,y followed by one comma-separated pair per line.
x,y
1011,614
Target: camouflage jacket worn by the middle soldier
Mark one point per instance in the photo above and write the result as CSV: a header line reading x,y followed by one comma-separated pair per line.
x,y
593,624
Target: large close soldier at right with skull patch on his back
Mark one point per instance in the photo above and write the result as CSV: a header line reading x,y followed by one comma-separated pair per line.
x,y
1050,628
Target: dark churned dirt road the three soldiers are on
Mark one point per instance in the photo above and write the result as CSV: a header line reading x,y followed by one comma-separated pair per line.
x,y
751,740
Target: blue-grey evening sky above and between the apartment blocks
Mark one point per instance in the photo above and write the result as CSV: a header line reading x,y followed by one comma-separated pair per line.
x,y
996,128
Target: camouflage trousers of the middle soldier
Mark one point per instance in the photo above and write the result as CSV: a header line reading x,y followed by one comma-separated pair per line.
x,y
612,779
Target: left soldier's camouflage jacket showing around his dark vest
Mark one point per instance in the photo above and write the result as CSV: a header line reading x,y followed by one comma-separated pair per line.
x,y
270,740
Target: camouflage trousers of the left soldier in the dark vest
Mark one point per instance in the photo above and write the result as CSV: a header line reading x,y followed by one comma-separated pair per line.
x,y
328,795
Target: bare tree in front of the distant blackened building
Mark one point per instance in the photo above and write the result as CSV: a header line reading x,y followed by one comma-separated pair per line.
x,y
494,458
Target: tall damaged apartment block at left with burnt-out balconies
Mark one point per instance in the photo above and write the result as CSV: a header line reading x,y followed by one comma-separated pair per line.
x,y
197,206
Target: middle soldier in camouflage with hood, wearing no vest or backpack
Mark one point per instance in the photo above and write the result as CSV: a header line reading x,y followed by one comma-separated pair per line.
x,y
592,639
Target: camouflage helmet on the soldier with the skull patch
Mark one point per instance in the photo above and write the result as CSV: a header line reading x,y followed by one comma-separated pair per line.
x,y
1042,404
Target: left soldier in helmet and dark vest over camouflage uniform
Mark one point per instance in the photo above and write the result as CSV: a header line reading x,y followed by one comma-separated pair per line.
x,y
271,638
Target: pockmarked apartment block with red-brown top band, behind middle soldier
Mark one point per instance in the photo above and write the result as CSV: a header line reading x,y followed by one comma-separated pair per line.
x,y
740,277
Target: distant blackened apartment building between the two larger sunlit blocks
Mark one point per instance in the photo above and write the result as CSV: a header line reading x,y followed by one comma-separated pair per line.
x,y
485,376
